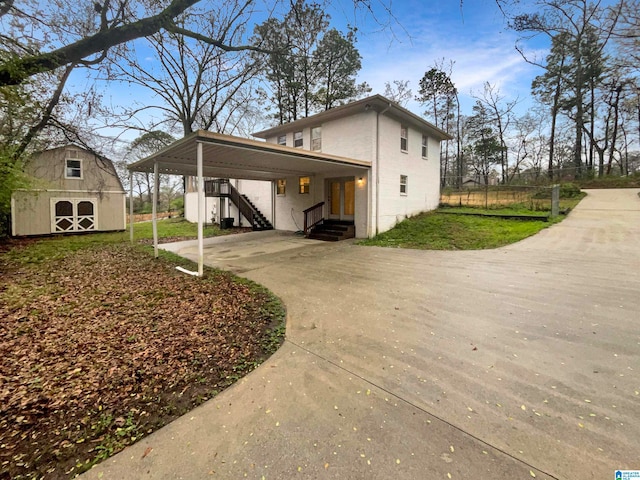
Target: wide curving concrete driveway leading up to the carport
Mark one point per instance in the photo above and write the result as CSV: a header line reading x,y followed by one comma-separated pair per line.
x,y
509,363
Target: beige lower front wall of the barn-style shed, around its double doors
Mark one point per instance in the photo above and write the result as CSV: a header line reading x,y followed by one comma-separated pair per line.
x,y
31,210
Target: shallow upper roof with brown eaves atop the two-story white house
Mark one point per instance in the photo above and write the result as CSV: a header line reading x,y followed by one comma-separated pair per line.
x,y
377,103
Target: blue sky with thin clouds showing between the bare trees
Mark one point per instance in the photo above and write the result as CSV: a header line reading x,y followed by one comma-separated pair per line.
x,y
475,37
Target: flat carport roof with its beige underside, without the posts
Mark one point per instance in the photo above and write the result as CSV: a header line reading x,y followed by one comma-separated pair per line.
x,y
225,156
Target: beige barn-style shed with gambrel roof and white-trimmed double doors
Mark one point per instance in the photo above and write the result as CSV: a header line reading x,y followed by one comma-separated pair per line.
x,y
73,191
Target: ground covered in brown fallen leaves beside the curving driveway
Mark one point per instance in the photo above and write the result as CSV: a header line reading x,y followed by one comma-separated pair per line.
x,y
104,346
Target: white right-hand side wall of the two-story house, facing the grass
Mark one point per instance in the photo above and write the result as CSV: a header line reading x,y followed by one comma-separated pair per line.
x,y
423,184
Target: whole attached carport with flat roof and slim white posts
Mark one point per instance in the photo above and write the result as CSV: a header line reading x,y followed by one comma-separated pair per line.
x,y
207,154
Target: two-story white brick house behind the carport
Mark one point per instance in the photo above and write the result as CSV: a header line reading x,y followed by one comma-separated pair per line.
x,y
380,164
